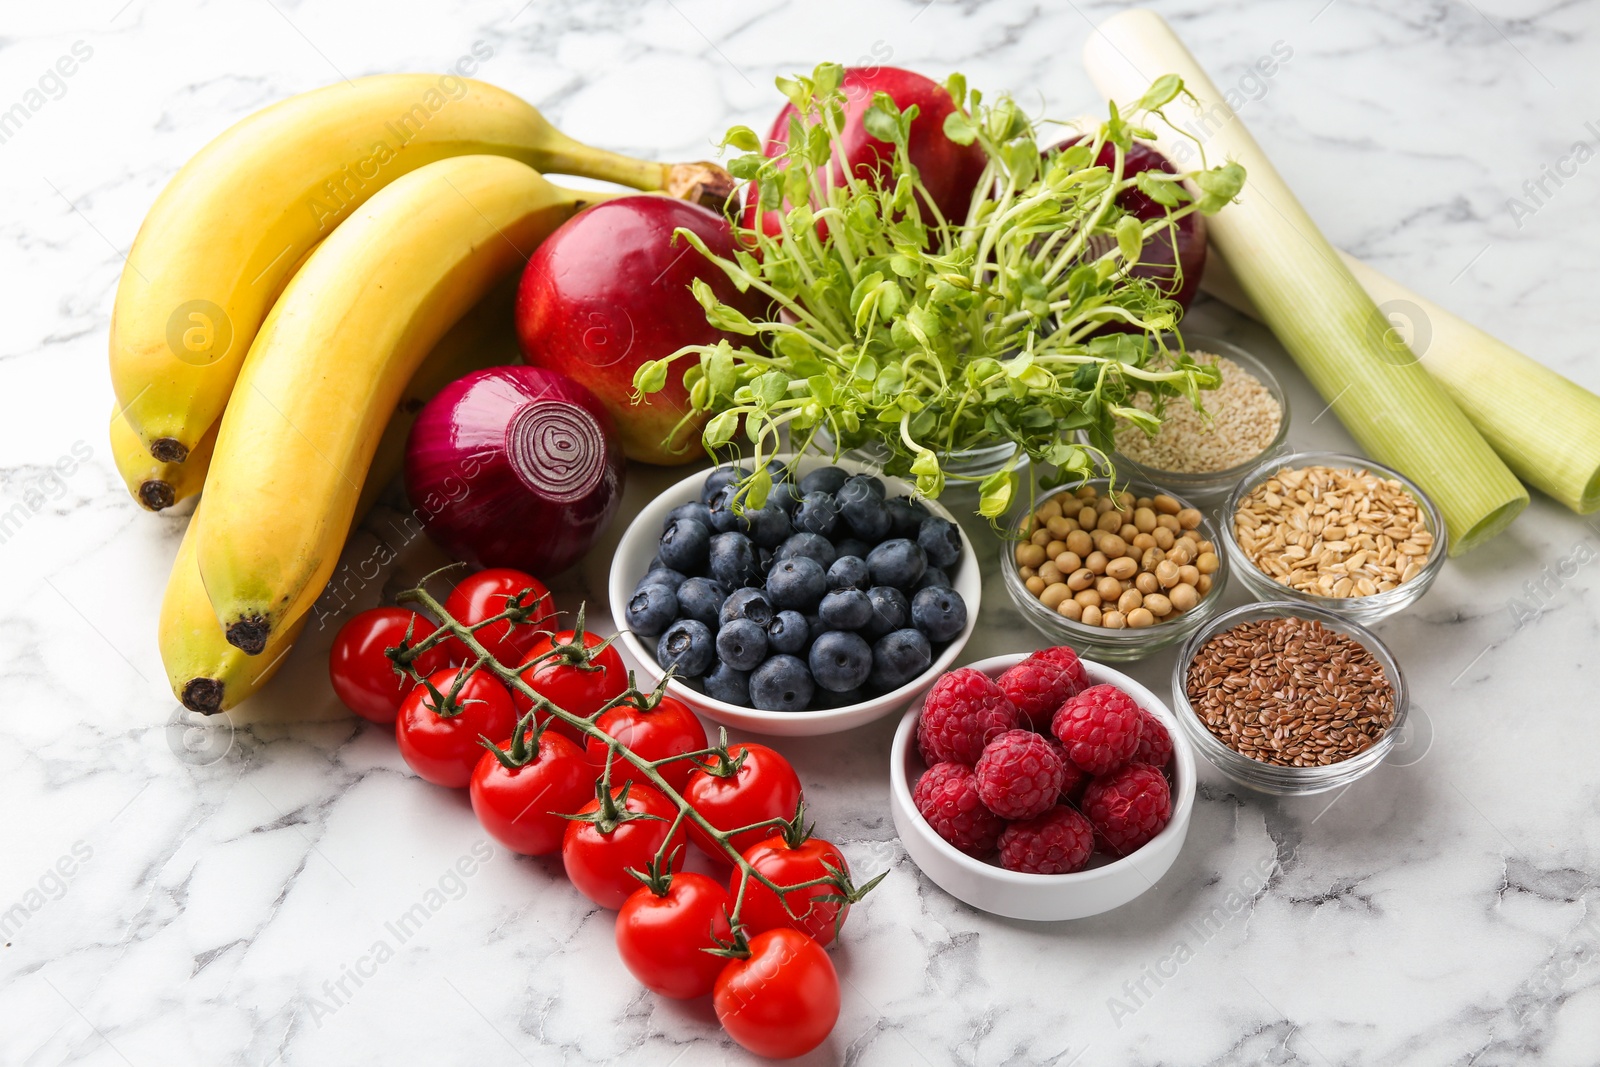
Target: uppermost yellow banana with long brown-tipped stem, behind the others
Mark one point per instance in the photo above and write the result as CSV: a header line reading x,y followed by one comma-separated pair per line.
x,y
222,239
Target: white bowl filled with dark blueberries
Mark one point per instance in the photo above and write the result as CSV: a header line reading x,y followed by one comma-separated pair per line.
x,y
836,604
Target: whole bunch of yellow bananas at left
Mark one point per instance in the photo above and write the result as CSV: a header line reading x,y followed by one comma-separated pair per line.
x,y
286,310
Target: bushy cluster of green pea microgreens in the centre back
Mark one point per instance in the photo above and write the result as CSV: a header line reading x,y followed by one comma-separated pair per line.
x,y
927,337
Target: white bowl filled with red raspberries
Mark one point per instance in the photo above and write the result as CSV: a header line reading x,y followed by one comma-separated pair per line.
x,y
1042,786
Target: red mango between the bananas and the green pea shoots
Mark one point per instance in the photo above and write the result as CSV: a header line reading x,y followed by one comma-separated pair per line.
x,y
609,292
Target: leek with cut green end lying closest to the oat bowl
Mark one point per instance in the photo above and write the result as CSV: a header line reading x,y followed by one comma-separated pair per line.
x,y
1311,300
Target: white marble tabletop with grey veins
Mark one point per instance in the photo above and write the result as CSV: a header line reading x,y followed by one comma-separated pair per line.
x,y
169,905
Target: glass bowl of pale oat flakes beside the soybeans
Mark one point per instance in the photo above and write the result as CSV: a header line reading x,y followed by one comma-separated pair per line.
x,y
1335,532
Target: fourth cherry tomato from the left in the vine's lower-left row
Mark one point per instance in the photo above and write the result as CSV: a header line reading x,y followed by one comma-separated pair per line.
x,y
599,857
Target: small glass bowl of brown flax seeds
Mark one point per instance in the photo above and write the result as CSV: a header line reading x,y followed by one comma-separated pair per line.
x,y
1289,700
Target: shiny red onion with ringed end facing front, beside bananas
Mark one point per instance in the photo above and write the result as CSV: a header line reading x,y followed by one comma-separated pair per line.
x,y
514,466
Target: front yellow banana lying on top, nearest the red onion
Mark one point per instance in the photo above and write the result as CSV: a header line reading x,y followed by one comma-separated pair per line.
x,y
330,362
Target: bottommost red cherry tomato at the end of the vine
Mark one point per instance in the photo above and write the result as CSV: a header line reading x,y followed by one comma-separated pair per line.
x,y
782,1002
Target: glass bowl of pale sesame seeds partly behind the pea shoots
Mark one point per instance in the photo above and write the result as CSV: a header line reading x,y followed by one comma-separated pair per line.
x,y
1202,457
